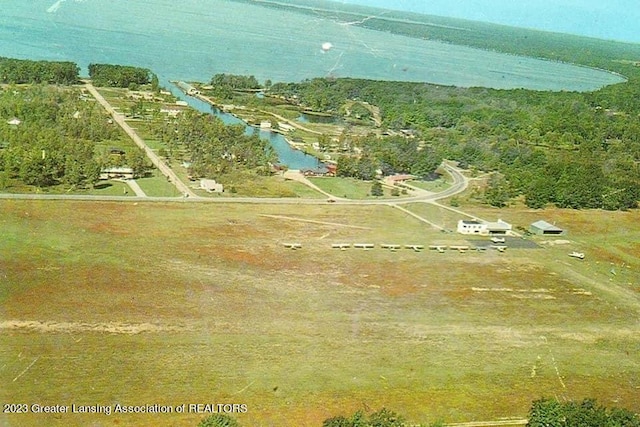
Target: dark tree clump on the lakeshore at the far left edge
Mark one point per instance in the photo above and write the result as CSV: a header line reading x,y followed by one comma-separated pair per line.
x,y
19,71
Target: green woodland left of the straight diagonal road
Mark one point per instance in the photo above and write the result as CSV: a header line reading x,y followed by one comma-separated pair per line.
x,y
48,137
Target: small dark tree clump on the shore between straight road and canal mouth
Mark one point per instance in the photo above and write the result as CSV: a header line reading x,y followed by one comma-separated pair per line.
x,y
122,76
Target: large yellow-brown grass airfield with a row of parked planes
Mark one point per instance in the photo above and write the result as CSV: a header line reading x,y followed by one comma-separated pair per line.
x,y
150,303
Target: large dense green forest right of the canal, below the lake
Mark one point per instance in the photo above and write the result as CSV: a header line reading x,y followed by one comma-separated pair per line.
x,y
575,150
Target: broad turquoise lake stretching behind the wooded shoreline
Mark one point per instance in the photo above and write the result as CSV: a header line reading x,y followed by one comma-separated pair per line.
x,y
194,39
